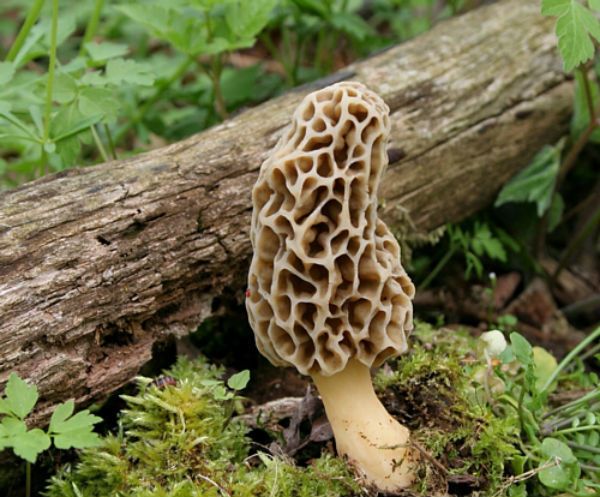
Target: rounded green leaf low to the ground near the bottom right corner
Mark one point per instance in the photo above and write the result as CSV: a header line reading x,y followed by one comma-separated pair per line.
x,y
567,470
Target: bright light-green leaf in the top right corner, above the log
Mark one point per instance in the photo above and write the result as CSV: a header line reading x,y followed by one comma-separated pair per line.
x,y
575,26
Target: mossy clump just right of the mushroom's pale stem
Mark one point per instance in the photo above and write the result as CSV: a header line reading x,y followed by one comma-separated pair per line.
x,y
432,391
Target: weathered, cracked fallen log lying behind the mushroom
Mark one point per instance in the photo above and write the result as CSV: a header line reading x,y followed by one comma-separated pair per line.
x,y
98,263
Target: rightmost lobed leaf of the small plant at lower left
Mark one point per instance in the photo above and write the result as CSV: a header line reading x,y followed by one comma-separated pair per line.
x,y
73,432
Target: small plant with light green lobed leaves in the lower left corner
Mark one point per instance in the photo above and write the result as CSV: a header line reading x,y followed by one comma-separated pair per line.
x,y
65,430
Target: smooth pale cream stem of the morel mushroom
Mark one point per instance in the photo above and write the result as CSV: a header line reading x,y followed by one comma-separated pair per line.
x,y
374,442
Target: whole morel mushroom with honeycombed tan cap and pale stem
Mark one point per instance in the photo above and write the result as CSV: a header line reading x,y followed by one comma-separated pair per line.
x,y
327,293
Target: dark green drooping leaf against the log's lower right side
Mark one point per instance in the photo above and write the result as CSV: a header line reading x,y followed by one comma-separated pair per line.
x,y
535,183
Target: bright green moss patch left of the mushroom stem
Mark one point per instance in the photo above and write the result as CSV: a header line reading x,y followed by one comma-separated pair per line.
x,y
181,441
